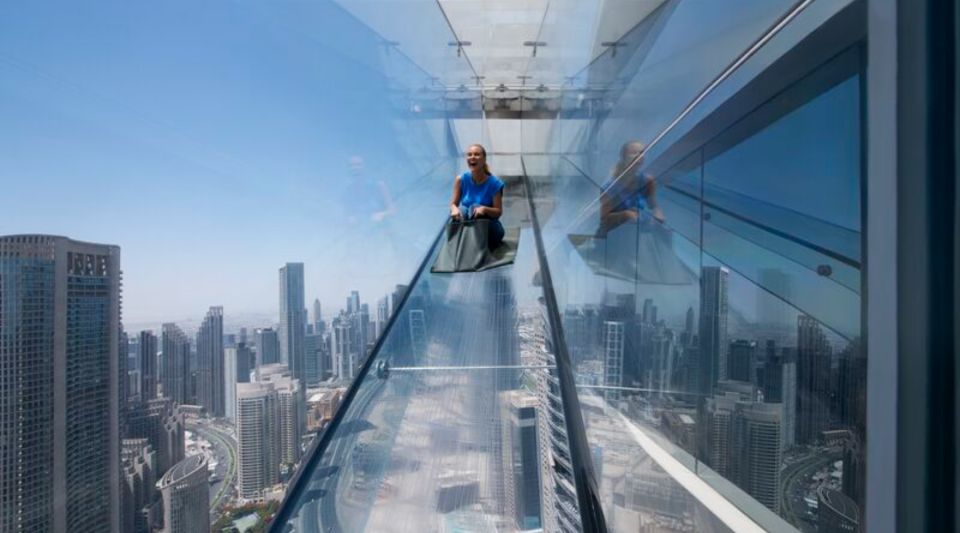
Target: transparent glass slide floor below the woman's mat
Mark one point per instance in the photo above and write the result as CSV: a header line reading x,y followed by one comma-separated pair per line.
x,y
443,432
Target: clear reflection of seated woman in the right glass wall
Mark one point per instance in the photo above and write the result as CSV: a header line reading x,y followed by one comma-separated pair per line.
x,y
628,191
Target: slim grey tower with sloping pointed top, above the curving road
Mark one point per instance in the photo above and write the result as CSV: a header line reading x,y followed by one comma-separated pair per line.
x,y
210,367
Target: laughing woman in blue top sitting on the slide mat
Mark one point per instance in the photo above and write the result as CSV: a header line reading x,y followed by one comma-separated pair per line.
x,y
478,194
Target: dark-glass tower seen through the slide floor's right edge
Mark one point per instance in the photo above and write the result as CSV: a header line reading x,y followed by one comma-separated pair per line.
x,y
521,463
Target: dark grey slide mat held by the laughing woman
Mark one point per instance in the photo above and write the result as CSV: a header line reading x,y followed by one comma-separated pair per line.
x,y
465,248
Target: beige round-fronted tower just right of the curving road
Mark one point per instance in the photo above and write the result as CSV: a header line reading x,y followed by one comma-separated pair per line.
x,y
258,441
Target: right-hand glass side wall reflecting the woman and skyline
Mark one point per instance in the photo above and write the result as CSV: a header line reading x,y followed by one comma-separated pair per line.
x,y
707,264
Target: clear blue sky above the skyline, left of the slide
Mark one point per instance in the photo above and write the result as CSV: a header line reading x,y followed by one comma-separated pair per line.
x,y
210,141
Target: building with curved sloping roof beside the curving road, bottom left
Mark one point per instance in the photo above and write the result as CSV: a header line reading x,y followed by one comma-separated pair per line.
x,y
186,496
